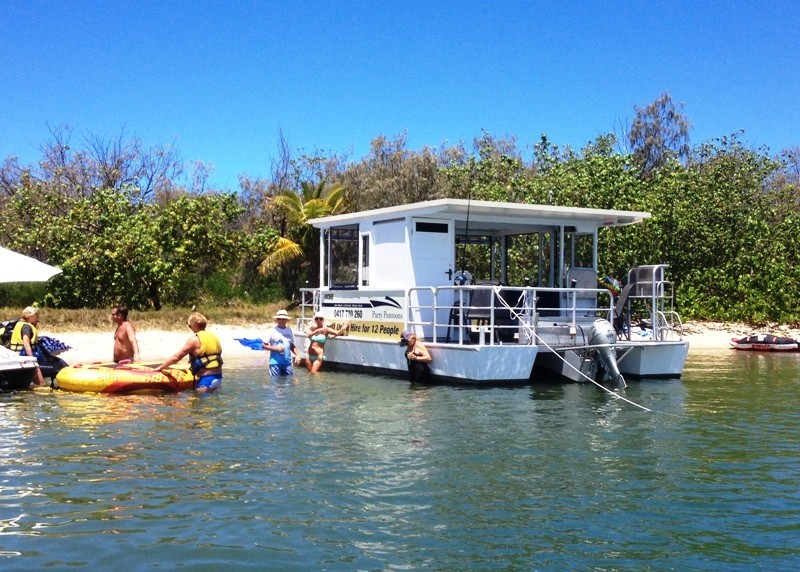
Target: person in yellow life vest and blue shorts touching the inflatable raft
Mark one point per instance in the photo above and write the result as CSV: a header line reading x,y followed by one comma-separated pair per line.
x,y
205,355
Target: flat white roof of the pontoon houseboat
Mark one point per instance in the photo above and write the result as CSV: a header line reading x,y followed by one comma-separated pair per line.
x,y
493,217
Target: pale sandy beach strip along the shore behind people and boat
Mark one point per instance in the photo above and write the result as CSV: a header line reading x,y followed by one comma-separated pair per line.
x,y
155,345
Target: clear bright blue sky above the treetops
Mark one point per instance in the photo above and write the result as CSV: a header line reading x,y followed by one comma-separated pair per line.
x,y
220,80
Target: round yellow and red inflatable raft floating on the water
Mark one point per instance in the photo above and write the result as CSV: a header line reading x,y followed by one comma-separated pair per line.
x,y
124,378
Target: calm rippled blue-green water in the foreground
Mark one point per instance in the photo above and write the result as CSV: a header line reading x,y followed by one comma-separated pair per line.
x,y
351,472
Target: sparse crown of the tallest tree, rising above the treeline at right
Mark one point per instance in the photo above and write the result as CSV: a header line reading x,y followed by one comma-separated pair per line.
x,y
659,134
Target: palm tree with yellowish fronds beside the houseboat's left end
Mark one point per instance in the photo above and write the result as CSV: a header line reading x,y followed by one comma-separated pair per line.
x,y
300,240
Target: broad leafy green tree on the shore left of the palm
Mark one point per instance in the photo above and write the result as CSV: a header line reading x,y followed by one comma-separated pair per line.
x,y
111,249
